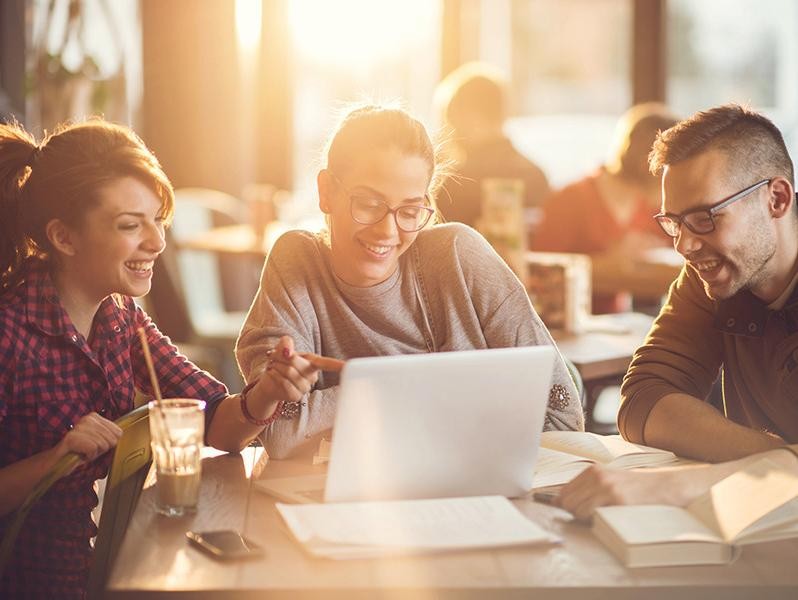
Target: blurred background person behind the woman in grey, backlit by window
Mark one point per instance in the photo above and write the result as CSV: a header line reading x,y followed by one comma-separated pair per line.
x,y
473,102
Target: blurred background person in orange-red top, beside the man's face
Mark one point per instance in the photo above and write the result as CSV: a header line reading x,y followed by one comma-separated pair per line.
x,y
608,213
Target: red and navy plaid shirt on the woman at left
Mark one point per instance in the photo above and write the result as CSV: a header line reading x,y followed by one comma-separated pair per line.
x,y
50,377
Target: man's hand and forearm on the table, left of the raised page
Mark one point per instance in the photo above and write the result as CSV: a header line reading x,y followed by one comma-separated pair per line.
x,y
601,486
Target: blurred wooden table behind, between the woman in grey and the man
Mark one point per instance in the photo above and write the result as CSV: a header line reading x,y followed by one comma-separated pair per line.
x,y
602,355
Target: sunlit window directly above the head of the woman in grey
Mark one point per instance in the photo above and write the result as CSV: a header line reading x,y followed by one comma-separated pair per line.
x,y
352,51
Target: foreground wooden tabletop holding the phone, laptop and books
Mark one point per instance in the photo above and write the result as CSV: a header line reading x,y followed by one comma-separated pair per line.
x,y
155,560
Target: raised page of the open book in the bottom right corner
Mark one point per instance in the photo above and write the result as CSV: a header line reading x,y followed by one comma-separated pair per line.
x,y
739,501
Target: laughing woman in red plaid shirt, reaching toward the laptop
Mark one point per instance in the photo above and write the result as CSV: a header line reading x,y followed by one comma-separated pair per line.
x,y
82,218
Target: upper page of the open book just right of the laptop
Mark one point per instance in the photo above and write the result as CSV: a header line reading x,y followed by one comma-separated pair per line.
x,y
603,448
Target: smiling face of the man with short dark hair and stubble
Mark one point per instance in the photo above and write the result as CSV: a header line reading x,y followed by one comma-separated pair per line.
x,y
737,254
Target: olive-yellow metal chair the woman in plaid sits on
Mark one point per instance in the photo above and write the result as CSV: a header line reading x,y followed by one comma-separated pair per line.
x,y
129,468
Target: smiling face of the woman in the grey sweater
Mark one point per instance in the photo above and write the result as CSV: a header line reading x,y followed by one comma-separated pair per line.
x,y
365,255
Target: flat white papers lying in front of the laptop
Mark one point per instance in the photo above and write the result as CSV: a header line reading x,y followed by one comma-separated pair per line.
x,y
373,529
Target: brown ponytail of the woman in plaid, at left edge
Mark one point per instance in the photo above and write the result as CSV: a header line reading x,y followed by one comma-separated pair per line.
x,y
18,151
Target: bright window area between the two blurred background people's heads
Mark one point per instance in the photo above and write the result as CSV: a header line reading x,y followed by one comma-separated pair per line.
x,y
567,91
